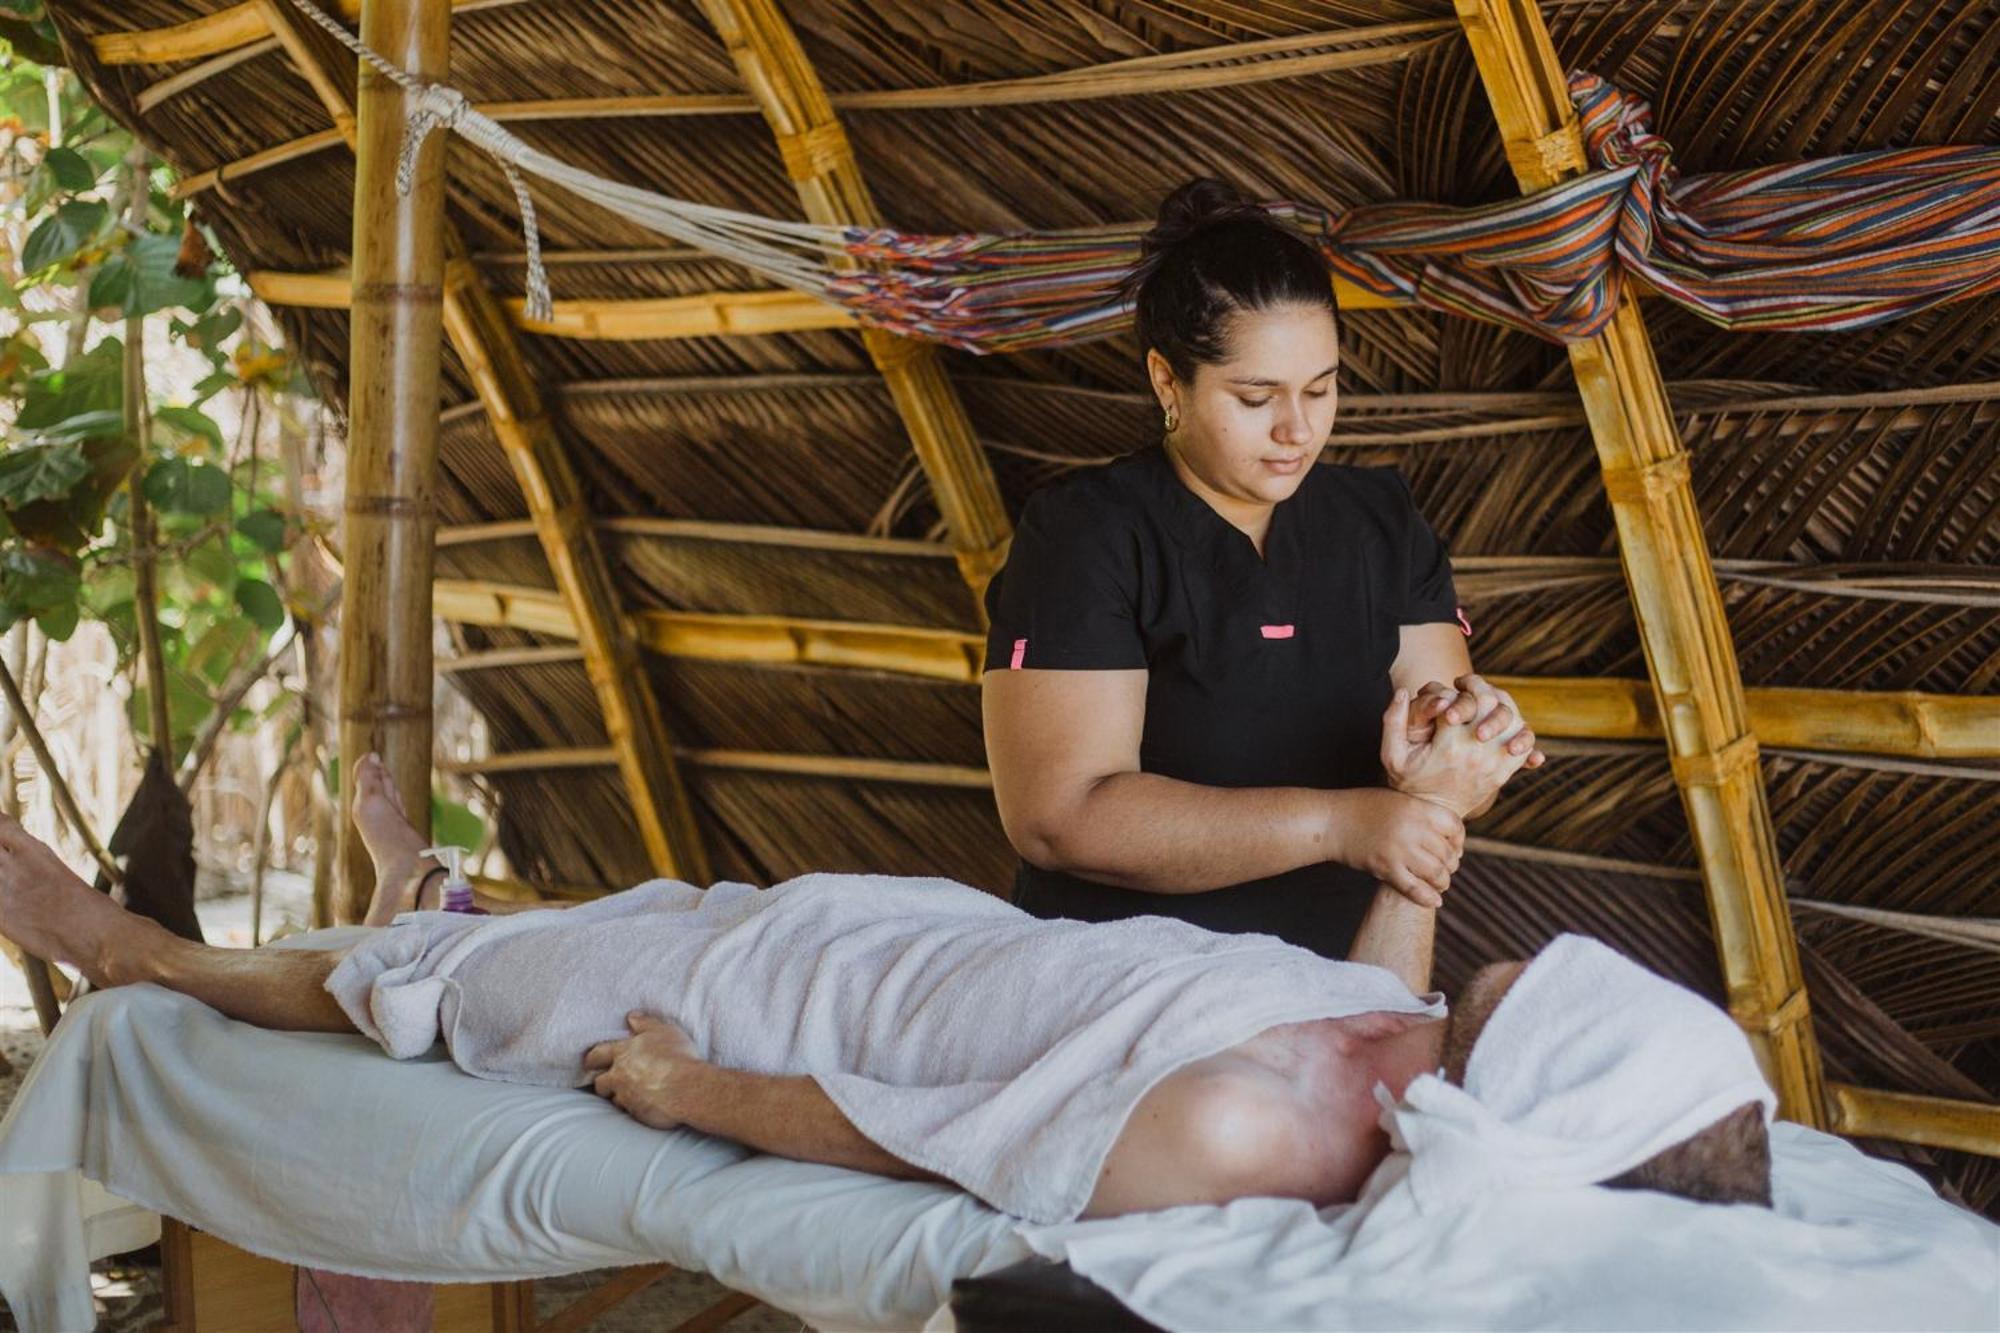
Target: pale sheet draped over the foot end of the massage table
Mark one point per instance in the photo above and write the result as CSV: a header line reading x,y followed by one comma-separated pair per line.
x,y
283,1142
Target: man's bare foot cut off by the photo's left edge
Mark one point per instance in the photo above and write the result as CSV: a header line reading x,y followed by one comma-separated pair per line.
x,y
55,916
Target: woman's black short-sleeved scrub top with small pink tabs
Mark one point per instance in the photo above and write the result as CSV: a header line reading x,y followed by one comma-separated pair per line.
x,y
1261,672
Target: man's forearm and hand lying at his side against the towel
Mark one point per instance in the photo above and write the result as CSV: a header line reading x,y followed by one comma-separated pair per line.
x,y
661,1080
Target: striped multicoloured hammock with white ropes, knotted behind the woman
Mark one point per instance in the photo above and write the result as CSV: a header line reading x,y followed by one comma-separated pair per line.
x,y
1835,243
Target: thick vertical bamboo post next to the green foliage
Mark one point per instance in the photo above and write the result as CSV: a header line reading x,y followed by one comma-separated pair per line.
x,y
393,435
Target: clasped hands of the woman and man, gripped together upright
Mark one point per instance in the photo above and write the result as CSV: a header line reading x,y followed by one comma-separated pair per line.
x,y
1445,754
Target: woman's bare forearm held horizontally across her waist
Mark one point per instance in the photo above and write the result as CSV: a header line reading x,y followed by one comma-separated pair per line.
x,y
1161,836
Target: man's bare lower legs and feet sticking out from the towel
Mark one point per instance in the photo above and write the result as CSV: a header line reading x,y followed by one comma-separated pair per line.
x,y
55,916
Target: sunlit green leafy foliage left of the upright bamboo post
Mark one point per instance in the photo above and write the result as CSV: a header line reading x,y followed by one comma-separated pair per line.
x,y
69,463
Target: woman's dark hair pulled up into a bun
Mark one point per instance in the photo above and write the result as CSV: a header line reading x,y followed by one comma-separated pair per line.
x,y
1211,255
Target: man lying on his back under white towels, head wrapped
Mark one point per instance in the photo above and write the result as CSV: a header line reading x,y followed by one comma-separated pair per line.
x,y
925,1030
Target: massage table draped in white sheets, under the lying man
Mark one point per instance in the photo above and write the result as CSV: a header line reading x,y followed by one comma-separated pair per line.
x,y
317,1150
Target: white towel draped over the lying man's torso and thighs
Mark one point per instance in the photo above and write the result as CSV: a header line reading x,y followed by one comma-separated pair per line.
x,y
953,1030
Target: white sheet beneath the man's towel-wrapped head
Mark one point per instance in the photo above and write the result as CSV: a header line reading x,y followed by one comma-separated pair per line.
x,y
1853,1244
